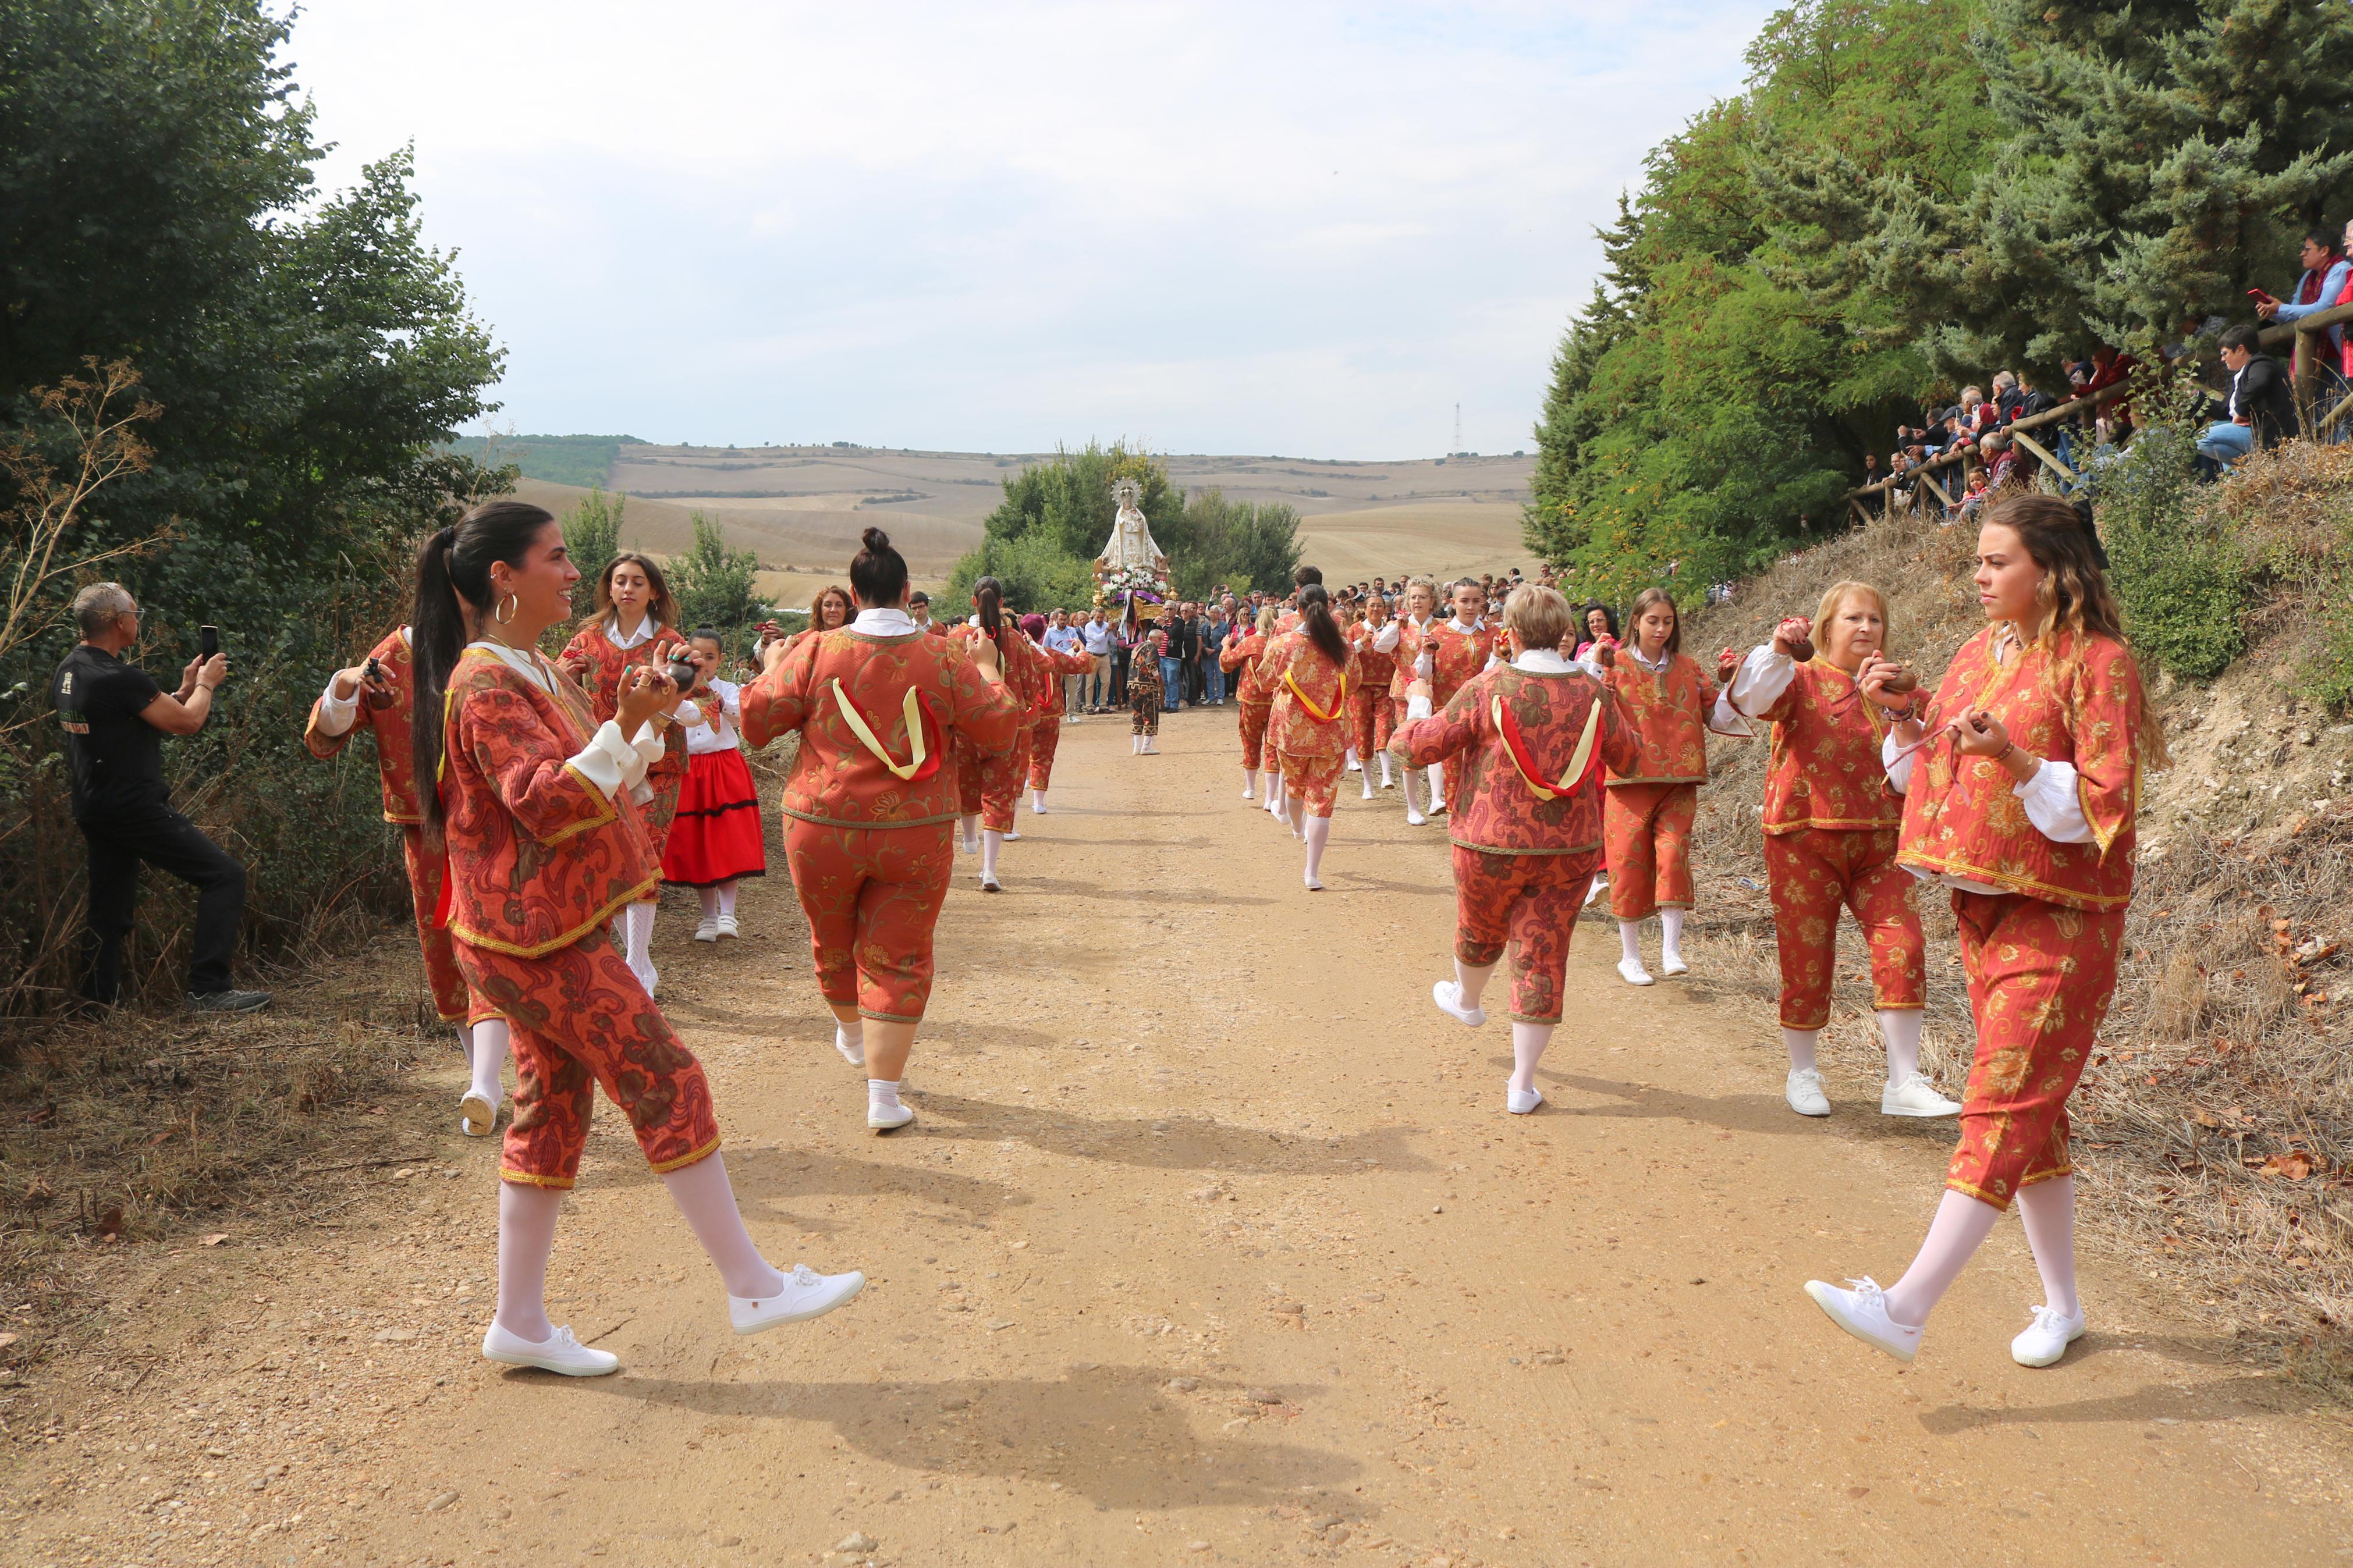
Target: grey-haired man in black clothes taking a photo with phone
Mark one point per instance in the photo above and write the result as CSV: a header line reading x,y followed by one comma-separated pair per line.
x,y
116,721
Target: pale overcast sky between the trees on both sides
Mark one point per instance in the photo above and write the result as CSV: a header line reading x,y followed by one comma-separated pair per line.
x,y
1272,229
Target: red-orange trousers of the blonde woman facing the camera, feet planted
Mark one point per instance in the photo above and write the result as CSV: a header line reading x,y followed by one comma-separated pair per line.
x,y
1815,871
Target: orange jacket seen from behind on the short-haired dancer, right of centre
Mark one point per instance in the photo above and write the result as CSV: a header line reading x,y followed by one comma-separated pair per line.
x,y
1531,782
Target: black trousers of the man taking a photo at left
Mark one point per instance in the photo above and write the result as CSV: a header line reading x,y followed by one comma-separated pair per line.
x,y
173,845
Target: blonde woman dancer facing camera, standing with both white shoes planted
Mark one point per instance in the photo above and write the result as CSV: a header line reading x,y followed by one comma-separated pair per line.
x,y
1832,840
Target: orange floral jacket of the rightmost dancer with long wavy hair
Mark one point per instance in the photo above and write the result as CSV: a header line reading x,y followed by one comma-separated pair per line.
x,y
2074,699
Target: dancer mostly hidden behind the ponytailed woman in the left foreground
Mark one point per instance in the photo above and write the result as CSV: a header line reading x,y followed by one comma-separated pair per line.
x,y
387,683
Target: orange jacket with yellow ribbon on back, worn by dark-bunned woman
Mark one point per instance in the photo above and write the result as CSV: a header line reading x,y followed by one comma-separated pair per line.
x,y
912,695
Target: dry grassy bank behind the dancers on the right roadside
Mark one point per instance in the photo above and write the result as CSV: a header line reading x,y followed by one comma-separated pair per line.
x,y
2215,1123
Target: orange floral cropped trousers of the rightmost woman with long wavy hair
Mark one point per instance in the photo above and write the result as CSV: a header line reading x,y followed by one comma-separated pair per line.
x,y
2041,979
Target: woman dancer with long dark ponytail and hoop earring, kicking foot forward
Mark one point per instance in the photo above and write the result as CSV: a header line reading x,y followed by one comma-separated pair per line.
x,y
538,805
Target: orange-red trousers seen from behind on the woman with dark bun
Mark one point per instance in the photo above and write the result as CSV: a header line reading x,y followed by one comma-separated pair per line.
x,y
872,897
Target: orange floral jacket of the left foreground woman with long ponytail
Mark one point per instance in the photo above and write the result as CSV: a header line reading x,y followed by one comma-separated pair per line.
x,y
538,855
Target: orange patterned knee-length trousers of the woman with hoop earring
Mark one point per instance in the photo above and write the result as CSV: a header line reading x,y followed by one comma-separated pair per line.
x,y
580,1019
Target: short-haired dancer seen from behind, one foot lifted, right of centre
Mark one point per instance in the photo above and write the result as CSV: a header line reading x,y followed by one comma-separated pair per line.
x,y
1528,822
